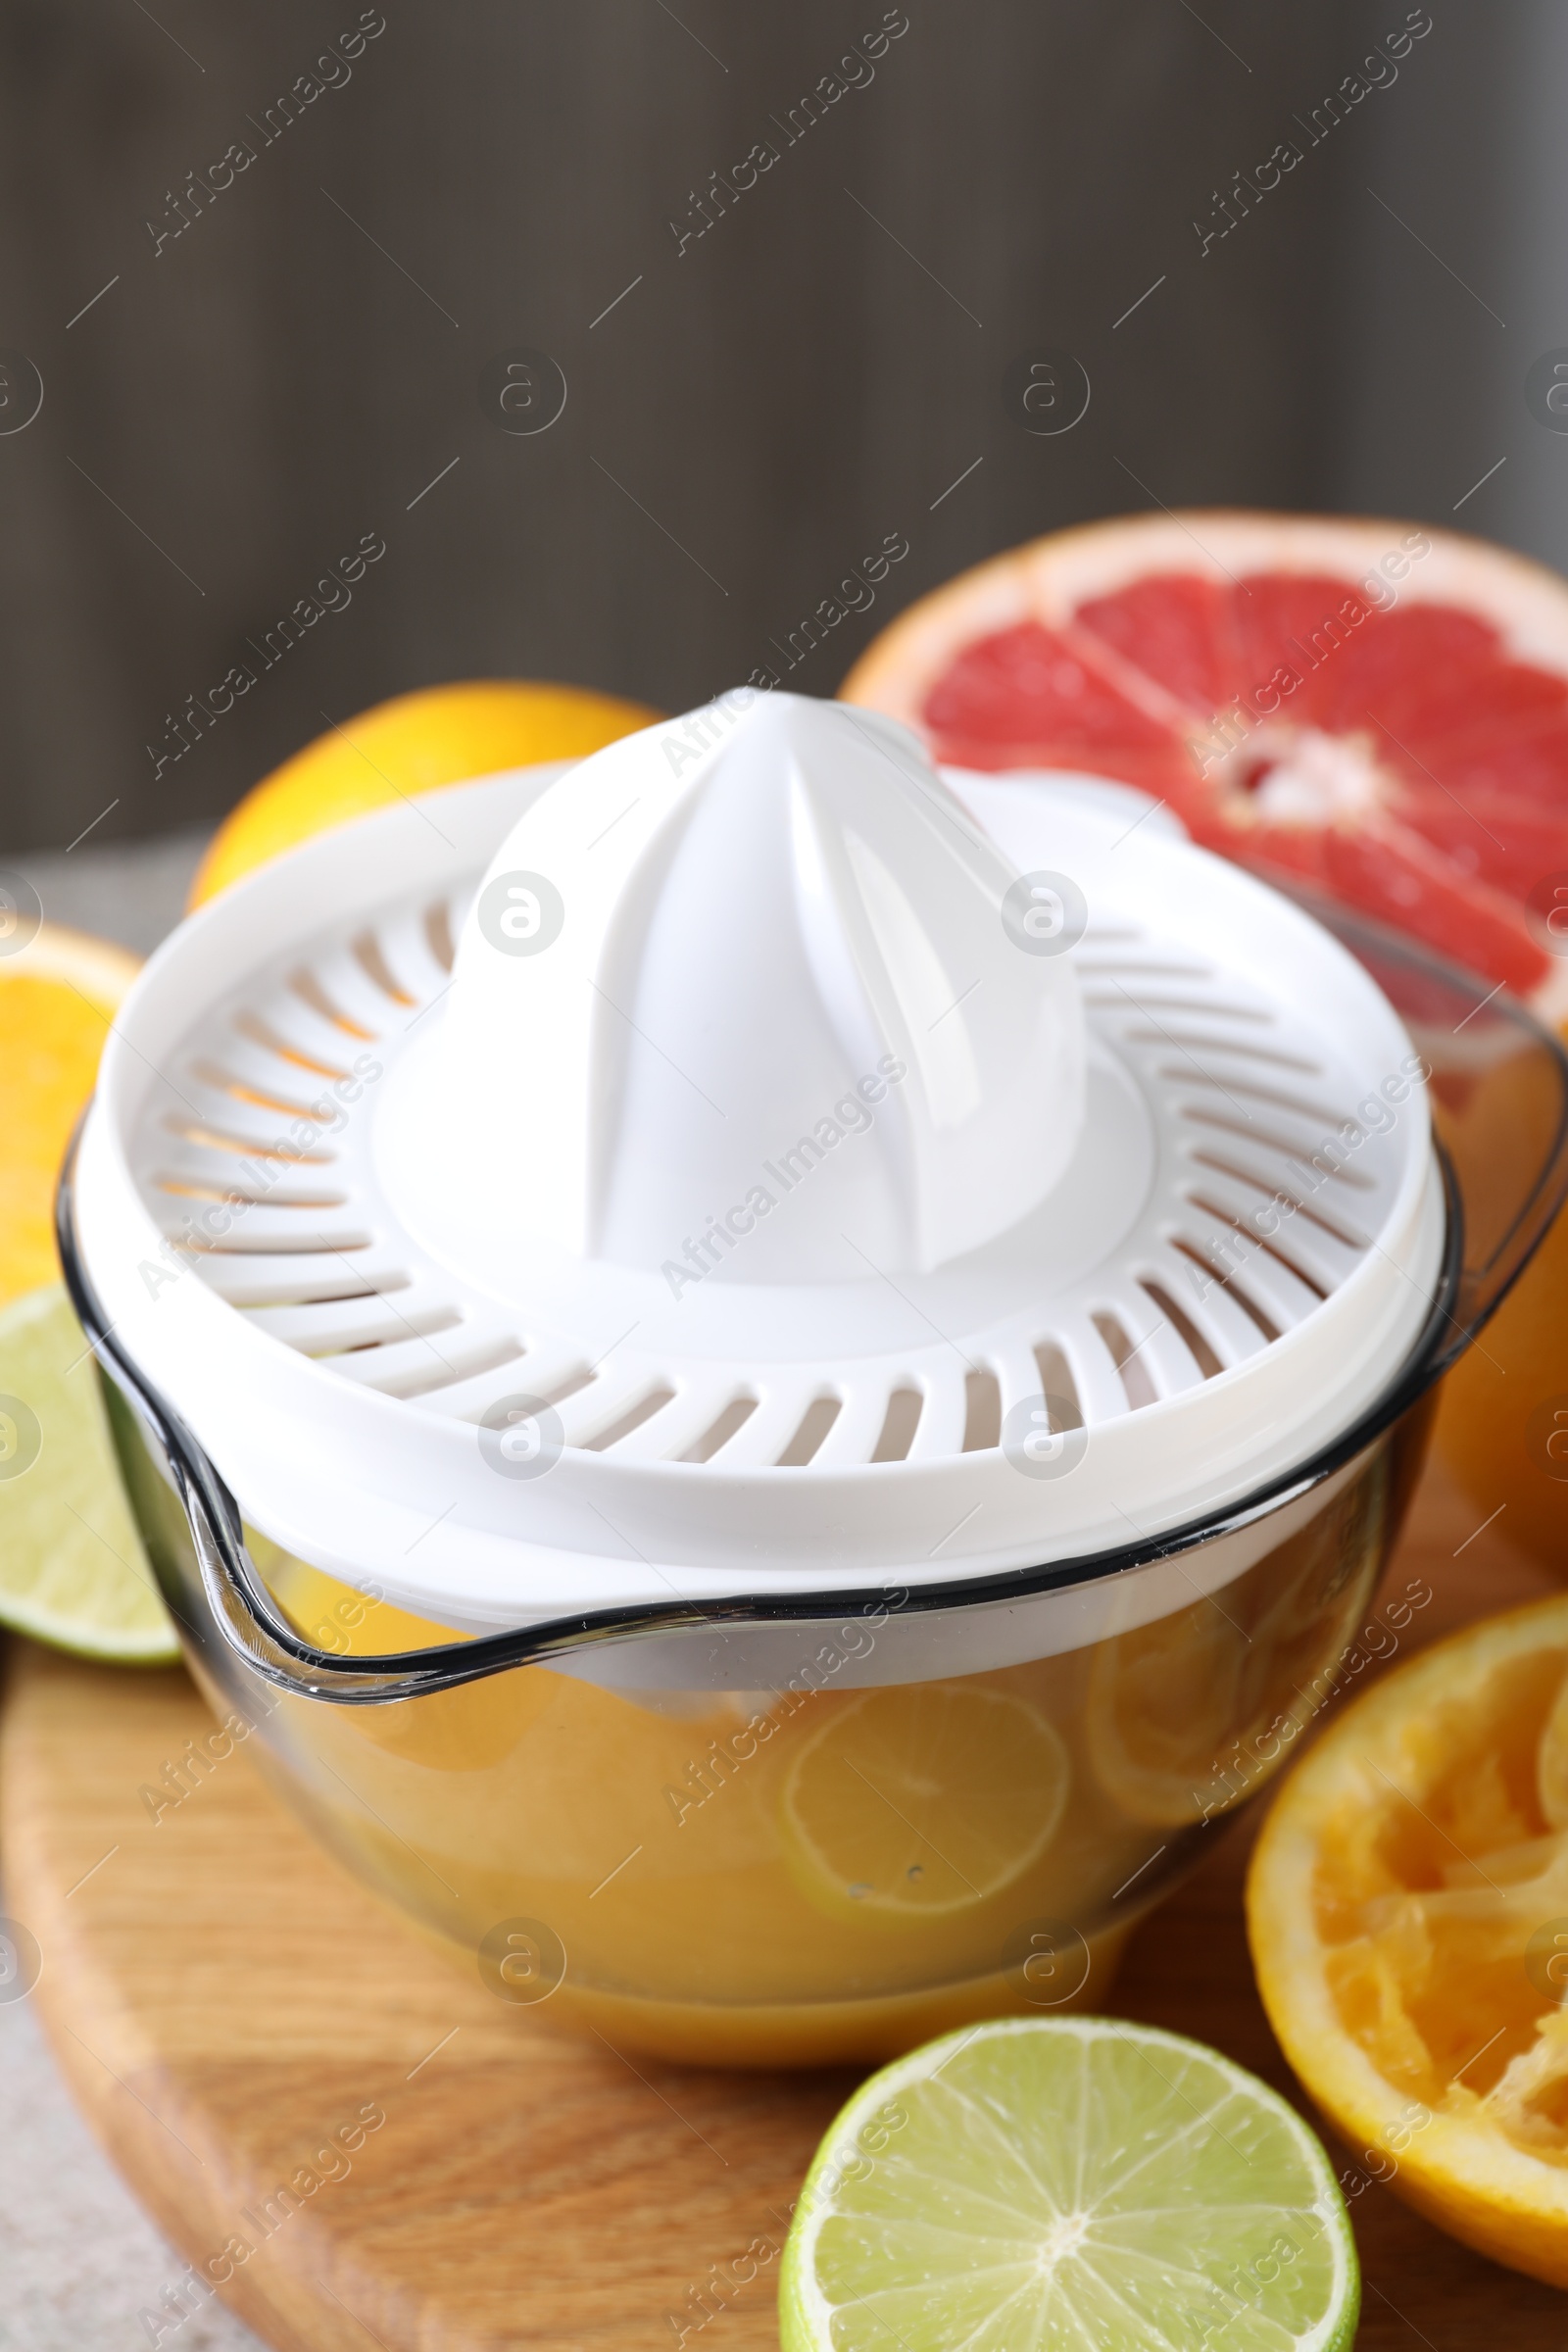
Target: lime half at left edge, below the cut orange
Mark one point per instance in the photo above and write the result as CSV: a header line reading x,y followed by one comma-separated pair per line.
x,y
72,1565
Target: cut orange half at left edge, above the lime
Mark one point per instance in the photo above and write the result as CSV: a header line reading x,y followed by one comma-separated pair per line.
x,y
58,1001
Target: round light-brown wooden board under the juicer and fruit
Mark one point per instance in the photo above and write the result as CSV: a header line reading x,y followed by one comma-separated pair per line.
x,y
225,2003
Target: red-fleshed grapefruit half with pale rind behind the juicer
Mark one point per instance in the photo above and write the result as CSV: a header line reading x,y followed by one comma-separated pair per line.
x,y
1369,707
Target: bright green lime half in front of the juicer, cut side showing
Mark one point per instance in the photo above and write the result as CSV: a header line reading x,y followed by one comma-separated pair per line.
x,y
1064,2184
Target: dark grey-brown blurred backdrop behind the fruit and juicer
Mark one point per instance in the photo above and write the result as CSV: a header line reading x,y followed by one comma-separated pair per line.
x,y
234,403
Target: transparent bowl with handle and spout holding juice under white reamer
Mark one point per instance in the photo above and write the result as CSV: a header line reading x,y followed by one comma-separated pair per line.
x,y
810,1829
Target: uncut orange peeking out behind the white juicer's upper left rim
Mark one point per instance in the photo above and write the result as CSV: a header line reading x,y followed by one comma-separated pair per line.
x,y
413,744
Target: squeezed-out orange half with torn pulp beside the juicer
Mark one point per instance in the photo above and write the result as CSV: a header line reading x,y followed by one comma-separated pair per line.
x,y
1409,1925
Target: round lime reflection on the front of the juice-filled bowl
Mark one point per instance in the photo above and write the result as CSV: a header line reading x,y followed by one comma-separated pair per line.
x,y
923,1800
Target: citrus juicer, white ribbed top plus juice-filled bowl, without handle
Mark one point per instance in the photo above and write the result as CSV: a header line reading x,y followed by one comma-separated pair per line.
x,y
626,1229
